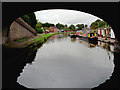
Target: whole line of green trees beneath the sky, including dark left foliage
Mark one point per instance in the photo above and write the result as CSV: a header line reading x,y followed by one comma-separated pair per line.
x,y
30,18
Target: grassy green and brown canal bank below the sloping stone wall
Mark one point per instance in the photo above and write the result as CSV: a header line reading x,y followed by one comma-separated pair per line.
x,y
29,42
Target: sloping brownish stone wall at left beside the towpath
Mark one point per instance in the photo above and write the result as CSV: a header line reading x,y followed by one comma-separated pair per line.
x,y
19,29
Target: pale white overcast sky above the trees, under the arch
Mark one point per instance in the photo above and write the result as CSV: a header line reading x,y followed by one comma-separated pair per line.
x,y
64,16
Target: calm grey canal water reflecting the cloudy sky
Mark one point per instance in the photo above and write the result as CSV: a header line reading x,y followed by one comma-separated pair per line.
x,y
65,62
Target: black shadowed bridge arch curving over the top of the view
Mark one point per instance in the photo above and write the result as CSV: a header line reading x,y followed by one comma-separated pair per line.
x,y
106,11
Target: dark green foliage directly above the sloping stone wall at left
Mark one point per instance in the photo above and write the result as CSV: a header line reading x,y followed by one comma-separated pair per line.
x,y
30,18
